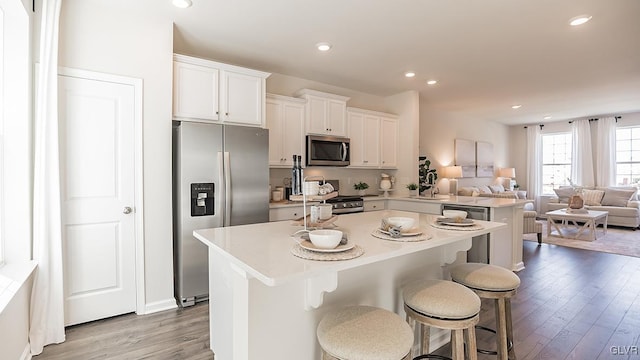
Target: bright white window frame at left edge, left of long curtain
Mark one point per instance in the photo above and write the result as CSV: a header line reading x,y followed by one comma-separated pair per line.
x,y
16,123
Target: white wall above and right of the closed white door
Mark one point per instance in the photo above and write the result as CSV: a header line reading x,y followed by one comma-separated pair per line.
x,y
119,37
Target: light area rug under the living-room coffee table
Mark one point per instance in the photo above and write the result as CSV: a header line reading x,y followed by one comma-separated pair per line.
x,y
617,240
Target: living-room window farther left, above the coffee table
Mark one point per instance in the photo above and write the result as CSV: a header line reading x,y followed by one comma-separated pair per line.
x,y
556,161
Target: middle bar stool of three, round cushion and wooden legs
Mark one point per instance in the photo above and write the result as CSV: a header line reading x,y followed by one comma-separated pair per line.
x,y
445,305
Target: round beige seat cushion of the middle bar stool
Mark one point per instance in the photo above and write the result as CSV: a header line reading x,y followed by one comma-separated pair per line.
x,y
441,299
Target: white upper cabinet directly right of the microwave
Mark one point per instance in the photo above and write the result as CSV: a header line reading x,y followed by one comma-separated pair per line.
x,y
373,138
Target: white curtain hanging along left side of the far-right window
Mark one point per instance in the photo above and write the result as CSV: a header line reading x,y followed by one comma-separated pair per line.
x,y
606,152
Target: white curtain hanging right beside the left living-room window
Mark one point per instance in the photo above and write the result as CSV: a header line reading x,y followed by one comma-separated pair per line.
x,y
581,154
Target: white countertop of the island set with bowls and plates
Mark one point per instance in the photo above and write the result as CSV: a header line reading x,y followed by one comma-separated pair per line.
x,y
264,250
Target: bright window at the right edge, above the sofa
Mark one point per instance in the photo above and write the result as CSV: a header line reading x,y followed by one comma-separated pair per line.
x,y
628,156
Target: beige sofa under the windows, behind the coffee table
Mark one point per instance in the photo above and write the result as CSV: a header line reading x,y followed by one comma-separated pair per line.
x,y
622,203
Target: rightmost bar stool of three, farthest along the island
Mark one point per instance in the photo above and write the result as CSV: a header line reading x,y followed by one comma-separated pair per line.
x,y
492,282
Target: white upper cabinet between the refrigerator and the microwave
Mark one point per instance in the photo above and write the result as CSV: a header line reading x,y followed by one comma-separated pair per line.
x,y
285,121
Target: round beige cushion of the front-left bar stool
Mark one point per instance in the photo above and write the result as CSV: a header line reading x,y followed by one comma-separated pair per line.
x,y
364,333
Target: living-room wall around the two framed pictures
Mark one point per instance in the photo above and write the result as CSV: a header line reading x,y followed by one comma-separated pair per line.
x,y
439,129
